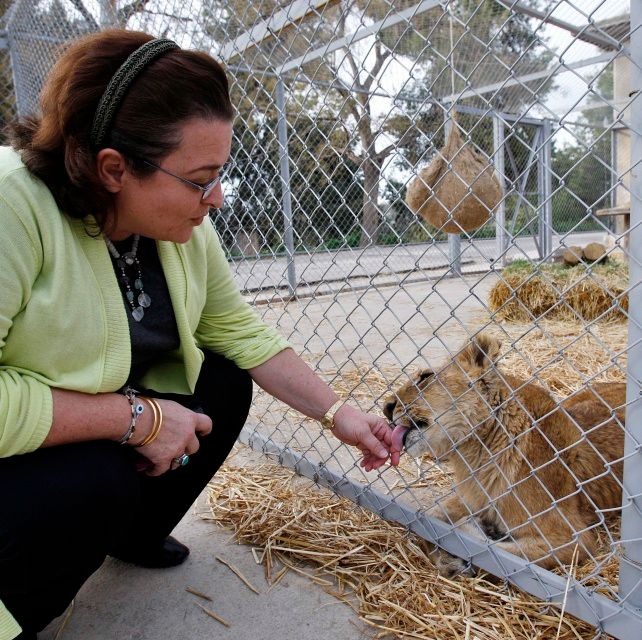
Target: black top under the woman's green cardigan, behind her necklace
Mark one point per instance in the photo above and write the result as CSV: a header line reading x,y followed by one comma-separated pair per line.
x,y
157,332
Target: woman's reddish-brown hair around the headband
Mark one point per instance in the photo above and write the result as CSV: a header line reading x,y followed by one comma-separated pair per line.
x,y
55,146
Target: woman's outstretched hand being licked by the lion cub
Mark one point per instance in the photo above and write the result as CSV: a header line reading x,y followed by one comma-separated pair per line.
x,y
369,433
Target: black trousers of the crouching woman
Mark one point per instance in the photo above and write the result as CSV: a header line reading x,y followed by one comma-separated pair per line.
x,y
64,509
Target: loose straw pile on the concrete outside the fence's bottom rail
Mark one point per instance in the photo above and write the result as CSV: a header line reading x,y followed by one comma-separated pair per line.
x,y
375,567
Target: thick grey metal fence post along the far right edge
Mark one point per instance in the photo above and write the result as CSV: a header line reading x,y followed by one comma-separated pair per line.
x,y
630,587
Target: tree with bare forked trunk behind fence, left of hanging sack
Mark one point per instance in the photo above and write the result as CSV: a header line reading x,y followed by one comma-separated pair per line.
x,y
502,39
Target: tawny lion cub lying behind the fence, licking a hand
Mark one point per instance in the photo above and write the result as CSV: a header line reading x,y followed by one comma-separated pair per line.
x,y
529,472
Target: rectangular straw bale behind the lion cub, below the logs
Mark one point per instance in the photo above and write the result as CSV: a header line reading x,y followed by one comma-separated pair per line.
x,y
526,292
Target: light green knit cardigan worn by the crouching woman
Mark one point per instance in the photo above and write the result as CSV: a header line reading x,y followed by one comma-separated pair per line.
x,y
63,322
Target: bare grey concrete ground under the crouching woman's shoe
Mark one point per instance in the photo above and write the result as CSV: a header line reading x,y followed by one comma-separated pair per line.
x,y
124,602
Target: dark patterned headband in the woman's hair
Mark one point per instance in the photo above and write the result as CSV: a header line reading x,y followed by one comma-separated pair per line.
x,y
120,83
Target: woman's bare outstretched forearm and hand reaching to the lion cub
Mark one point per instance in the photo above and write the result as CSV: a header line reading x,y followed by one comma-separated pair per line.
x,y
287,377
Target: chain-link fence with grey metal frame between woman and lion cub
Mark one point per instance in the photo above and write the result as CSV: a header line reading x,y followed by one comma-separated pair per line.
x,y
509,367
